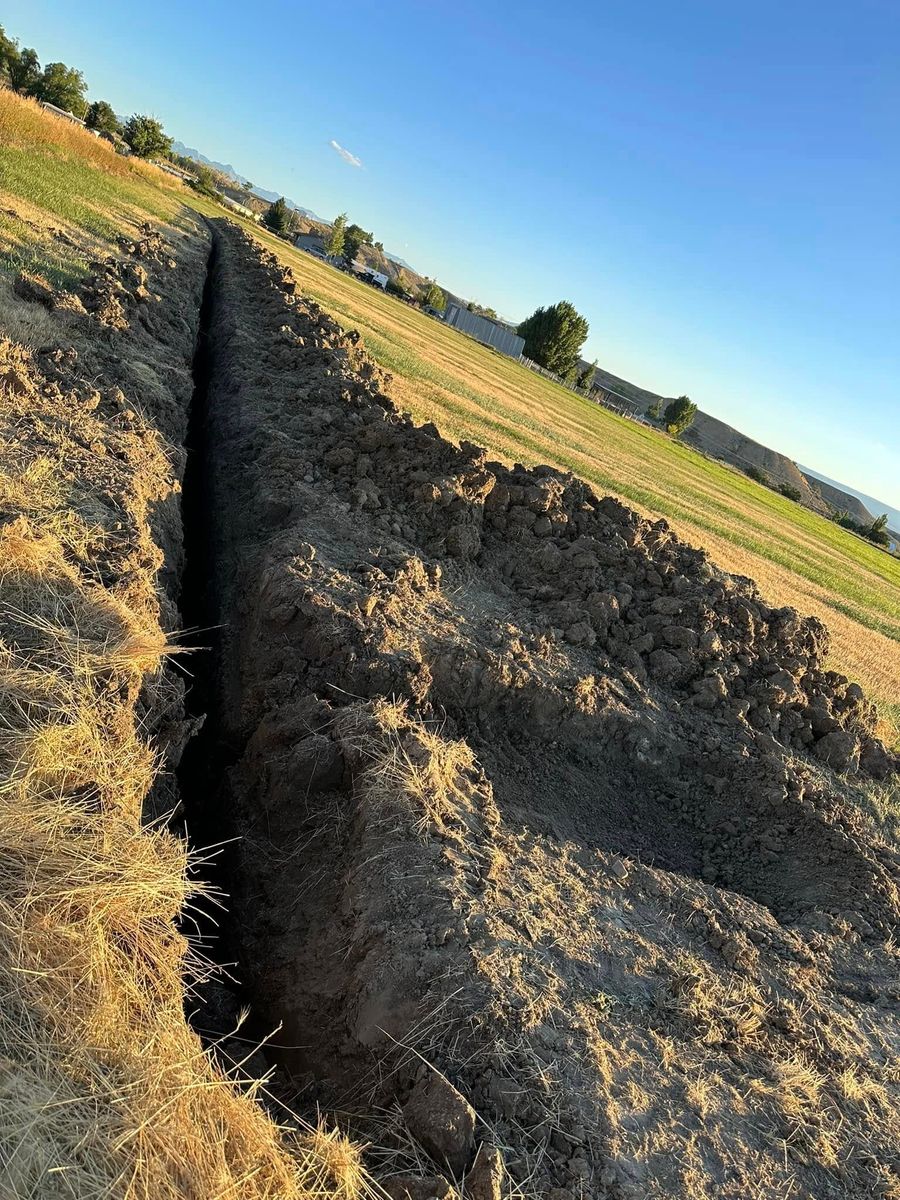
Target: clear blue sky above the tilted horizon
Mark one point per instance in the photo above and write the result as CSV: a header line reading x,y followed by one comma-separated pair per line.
x,y
715,185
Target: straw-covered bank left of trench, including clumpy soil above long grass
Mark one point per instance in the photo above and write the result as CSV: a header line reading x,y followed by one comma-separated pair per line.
x,y
105,1090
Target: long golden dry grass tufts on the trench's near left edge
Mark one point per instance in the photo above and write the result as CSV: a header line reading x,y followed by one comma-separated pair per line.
x,y
106,1091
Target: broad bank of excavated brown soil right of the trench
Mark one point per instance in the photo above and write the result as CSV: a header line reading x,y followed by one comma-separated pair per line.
x,y
543,845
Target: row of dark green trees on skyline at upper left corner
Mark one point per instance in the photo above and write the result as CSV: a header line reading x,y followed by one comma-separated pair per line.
x,y
65,87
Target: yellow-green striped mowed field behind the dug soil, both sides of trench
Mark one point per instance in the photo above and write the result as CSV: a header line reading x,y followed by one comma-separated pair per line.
x,y
52,178
